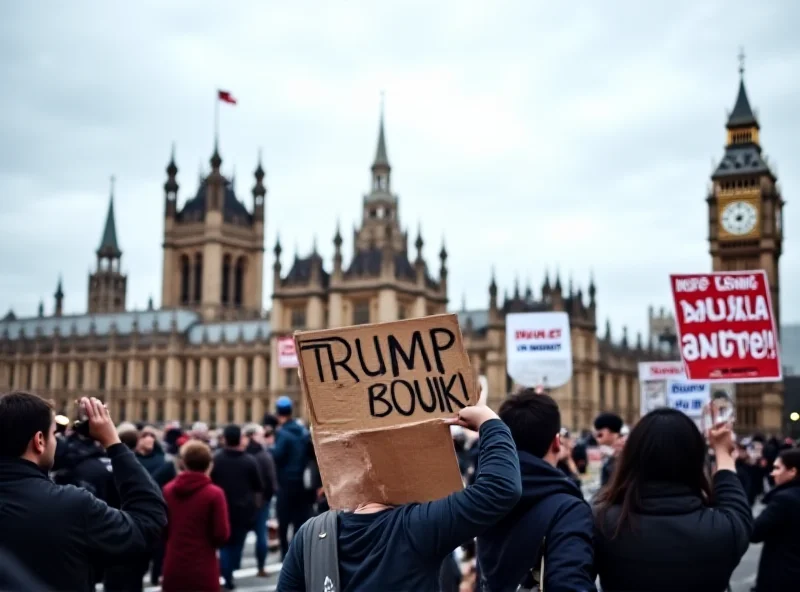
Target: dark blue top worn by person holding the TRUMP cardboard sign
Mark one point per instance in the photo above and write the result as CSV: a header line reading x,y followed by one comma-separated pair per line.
x,y
403,548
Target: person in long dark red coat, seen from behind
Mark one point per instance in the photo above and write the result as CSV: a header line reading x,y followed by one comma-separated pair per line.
x,y
198,524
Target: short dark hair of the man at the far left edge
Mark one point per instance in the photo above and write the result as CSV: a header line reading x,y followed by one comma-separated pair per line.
x,y
22,416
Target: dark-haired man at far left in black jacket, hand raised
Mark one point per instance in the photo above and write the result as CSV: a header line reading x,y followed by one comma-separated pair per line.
x,y
66,528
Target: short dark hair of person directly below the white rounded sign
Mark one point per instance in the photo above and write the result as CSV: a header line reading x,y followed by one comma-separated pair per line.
x,y
534,420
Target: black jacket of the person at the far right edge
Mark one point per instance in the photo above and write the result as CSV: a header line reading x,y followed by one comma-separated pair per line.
x,y
778,527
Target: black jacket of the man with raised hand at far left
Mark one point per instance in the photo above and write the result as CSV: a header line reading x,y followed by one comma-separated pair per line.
x,y
61,532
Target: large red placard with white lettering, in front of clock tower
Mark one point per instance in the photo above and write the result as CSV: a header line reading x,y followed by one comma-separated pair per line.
x,y
726,328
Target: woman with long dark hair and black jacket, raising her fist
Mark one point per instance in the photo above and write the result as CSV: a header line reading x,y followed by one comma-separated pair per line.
x,y
661,526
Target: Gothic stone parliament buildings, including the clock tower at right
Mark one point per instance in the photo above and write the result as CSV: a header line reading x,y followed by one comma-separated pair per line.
x,y
209,353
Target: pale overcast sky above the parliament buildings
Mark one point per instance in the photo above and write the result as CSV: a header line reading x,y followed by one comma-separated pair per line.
x,y
531,136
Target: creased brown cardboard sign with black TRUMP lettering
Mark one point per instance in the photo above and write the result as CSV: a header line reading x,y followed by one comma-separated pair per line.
x,y
376,395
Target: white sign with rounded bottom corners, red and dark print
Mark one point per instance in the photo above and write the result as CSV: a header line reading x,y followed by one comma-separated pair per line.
x,y
538,348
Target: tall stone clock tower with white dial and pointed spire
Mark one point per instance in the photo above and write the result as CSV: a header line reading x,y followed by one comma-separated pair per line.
x,y
745,231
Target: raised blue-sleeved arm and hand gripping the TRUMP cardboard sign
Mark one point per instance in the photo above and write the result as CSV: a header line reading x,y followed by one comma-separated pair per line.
x,y
436,528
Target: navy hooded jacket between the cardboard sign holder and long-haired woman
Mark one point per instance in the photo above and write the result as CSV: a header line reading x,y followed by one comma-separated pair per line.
x,y
550,506
